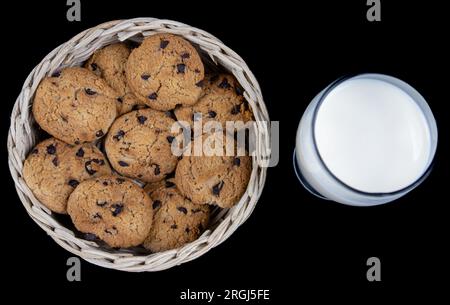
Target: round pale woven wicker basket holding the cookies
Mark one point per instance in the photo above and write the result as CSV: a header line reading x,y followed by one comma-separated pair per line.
x,y
23,136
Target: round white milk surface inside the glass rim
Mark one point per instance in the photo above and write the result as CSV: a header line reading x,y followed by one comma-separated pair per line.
x,y
372,136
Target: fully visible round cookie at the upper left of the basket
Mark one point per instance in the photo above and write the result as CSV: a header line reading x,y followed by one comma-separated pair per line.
x,y
75,105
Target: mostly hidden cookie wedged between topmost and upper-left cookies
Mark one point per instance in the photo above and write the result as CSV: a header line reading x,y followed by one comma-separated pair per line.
x,y
109,63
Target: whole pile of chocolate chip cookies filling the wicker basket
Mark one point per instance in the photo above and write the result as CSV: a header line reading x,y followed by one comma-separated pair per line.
x,y
112,131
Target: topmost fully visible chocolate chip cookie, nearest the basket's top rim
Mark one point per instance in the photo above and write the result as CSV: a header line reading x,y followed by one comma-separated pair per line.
x,y
165,71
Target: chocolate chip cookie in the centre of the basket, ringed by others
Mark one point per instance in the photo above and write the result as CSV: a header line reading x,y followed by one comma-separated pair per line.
x,y
138,145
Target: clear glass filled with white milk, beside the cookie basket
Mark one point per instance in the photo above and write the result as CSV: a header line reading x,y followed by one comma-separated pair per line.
x,y
365,140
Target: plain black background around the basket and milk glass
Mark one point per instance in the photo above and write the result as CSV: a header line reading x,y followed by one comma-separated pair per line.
x,y
293,242
